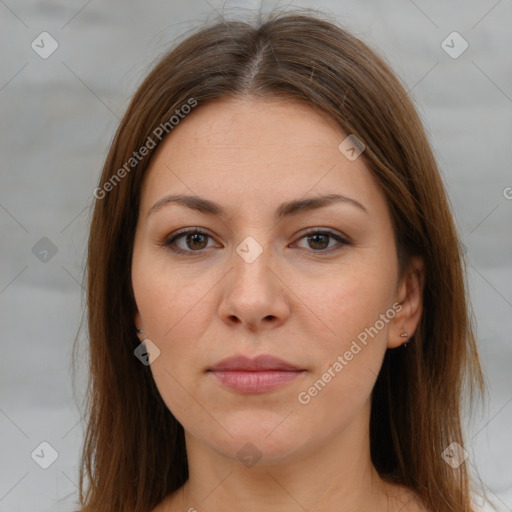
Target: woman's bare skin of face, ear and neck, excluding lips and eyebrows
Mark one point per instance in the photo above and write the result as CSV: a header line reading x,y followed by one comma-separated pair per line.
x,y
302,299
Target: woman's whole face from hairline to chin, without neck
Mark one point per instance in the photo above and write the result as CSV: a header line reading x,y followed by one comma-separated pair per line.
x,y
254,282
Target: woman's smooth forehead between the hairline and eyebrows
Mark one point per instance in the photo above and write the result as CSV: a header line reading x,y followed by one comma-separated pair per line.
x,y
247,150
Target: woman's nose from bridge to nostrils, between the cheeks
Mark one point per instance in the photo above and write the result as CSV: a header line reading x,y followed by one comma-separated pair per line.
x,y
254,295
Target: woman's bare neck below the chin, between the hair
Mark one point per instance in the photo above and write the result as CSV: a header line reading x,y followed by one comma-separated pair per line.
x,y
332,475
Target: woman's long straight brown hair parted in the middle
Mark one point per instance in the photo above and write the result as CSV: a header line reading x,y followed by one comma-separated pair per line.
x,y
134,450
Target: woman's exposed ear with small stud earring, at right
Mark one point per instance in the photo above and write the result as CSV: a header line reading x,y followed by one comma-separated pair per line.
x,y
410,295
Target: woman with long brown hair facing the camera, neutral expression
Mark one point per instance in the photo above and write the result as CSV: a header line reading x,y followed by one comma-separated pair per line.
x,y
277,308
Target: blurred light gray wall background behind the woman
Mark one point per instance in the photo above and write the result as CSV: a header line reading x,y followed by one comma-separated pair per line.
x,y
59,115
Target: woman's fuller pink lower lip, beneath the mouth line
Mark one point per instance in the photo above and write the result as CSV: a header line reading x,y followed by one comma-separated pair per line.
x,y
255,382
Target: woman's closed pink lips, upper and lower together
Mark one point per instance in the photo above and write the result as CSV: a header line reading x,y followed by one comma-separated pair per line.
x,y
254,375
